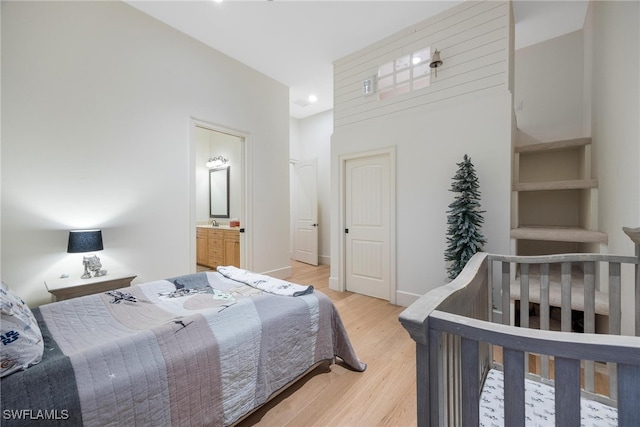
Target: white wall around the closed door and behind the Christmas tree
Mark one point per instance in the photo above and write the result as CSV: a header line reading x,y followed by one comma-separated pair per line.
x,y
466,110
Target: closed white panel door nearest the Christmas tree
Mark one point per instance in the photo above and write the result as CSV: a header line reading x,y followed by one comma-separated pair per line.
x,y
368,226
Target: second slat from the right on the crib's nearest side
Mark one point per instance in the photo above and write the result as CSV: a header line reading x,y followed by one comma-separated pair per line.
x,y
567,393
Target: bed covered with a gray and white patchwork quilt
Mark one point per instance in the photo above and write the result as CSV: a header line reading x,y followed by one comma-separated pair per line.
x,y
200,349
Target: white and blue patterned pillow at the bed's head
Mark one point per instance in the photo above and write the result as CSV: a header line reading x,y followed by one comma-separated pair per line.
x,y
22,343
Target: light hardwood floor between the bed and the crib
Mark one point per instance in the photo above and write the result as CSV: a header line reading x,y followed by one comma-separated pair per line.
x,y
383,395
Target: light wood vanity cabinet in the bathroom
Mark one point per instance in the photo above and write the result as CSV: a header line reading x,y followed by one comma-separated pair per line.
x,y
217,246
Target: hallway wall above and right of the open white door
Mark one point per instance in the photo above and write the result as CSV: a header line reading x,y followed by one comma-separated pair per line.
x,y
314,141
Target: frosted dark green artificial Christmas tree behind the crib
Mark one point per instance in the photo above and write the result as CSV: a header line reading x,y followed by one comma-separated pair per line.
x,y
464,219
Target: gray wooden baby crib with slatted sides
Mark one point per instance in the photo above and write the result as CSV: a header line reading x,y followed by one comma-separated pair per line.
x,y
458,340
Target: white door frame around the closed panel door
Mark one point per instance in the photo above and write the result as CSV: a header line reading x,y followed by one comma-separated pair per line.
x,y
342,270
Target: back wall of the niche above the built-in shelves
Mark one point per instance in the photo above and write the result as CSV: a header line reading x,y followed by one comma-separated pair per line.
x,y
548,86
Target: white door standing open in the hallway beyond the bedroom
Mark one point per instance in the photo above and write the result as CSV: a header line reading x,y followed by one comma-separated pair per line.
x,y
305,236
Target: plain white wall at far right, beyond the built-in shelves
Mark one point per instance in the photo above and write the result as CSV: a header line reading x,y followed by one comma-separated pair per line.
x,y
615,125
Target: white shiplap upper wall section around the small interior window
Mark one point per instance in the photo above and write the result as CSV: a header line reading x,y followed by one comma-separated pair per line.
x,y
473,39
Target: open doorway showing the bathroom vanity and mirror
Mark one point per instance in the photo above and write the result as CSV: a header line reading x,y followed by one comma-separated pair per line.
x,y
218,198
